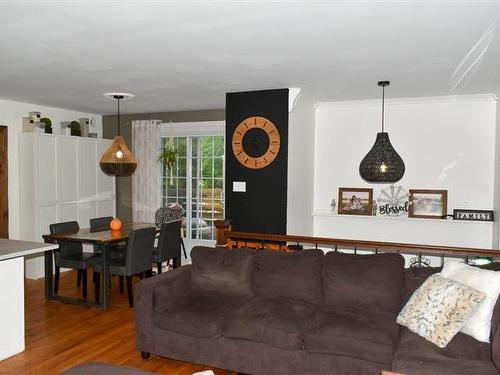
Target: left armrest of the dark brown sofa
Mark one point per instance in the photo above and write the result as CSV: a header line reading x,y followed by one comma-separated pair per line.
x,y
150,292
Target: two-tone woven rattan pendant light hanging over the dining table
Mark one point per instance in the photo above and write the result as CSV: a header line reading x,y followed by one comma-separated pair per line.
x,y
117,160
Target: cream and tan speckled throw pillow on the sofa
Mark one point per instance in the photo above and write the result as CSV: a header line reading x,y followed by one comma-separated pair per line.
x,y
439,308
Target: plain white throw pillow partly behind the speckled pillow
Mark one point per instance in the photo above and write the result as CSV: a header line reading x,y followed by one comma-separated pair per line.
x,y
486,281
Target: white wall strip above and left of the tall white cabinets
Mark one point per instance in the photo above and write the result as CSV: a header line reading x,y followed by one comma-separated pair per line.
x,y
11,114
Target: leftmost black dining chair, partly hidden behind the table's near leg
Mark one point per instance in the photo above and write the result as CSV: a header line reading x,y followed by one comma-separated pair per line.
x,y
71,255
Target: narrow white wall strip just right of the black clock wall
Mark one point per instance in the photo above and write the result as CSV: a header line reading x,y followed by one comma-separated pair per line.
x,y
300,168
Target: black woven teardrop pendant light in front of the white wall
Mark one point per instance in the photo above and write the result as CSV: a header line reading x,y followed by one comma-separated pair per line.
x,y
382,163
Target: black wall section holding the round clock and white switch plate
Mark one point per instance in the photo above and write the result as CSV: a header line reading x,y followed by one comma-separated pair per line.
x,y
261,206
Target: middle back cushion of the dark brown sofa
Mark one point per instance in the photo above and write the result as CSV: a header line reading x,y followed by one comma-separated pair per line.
x,y
294,275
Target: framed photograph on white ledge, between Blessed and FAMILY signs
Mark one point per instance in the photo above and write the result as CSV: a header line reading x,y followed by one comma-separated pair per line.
x,y
428,204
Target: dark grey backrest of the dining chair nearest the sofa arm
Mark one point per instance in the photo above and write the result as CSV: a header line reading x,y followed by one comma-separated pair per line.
x,y
139,255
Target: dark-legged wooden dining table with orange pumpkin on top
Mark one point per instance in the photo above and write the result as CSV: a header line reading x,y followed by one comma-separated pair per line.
x,y
102,238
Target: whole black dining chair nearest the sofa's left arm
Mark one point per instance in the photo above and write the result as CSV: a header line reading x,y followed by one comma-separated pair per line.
x,y
137,261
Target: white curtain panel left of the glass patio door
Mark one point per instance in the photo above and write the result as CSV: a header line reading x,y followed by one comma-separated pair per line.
x,y
146,184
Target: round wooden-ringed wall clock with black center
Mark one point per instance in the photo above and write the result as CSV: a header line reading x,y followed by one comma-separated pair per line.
x,y
256,142
